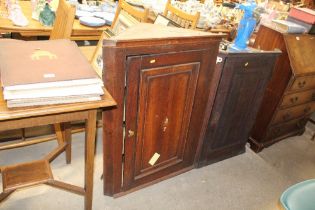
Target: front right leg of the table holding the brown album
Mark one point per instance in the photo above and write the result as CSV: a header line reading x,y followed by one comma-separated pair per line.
x,y
90,129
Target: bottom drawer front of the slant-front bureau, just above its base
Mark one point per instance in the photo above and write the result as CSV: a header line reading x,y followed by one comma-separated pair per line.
x,y
286,128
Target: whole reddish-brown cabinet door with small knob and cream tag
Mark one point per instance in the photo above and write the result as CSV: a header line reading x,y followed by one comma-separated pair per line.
x,y
159,103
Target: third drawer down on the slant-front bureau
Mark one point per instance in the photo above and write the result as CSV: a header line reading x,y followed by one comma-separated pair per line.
x,y
285,115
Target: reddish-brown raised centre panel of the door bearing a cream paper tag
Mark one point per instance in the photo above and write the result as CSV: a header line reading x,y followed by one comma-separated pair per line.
x,y
164,111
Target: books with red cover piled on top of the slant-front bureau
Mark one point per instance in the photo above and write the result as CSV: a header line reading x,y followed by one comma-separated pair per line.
x,y
300,20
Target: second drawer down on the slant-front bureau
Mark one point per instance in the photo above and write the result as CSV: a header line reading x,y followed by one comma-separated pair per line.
x,y
298,98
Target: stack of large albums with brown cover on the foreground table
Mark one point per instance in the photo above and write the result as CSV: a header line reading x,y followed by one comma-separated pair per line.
x,y
46,72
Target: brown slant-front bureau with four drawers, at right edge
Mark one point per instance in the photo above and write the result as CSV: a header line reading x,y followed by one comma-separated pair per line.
x,y
290,95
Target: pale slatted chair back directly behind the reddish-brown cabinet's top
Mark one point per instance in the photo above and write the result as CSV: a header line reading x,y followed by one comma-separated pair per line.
x,y
180,17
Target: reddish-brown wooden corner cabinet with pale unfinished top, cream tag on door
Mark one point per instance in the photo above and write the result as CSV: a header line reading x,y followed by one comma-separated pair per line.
x,y
162,79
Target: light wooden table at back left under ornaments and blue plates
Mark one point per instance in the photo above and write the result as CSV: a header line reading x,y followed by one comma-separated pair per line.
x,y
79,32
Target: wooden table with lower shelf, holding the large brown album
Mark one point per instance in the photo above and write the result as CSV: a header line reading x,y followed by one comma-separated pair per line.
x,y
39,172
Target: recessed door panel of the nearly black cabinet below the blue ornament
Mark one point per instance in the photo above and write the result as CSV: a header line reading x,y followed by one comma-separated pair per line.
x,y
237,101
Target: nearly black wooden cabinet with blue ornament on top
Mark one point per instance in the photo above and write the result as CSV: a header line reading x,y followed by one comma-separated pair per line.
x,y
244,76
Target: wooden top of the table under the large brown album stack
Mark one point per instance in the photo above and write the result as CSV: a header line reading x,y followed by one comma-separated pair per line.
x,y
23,112
